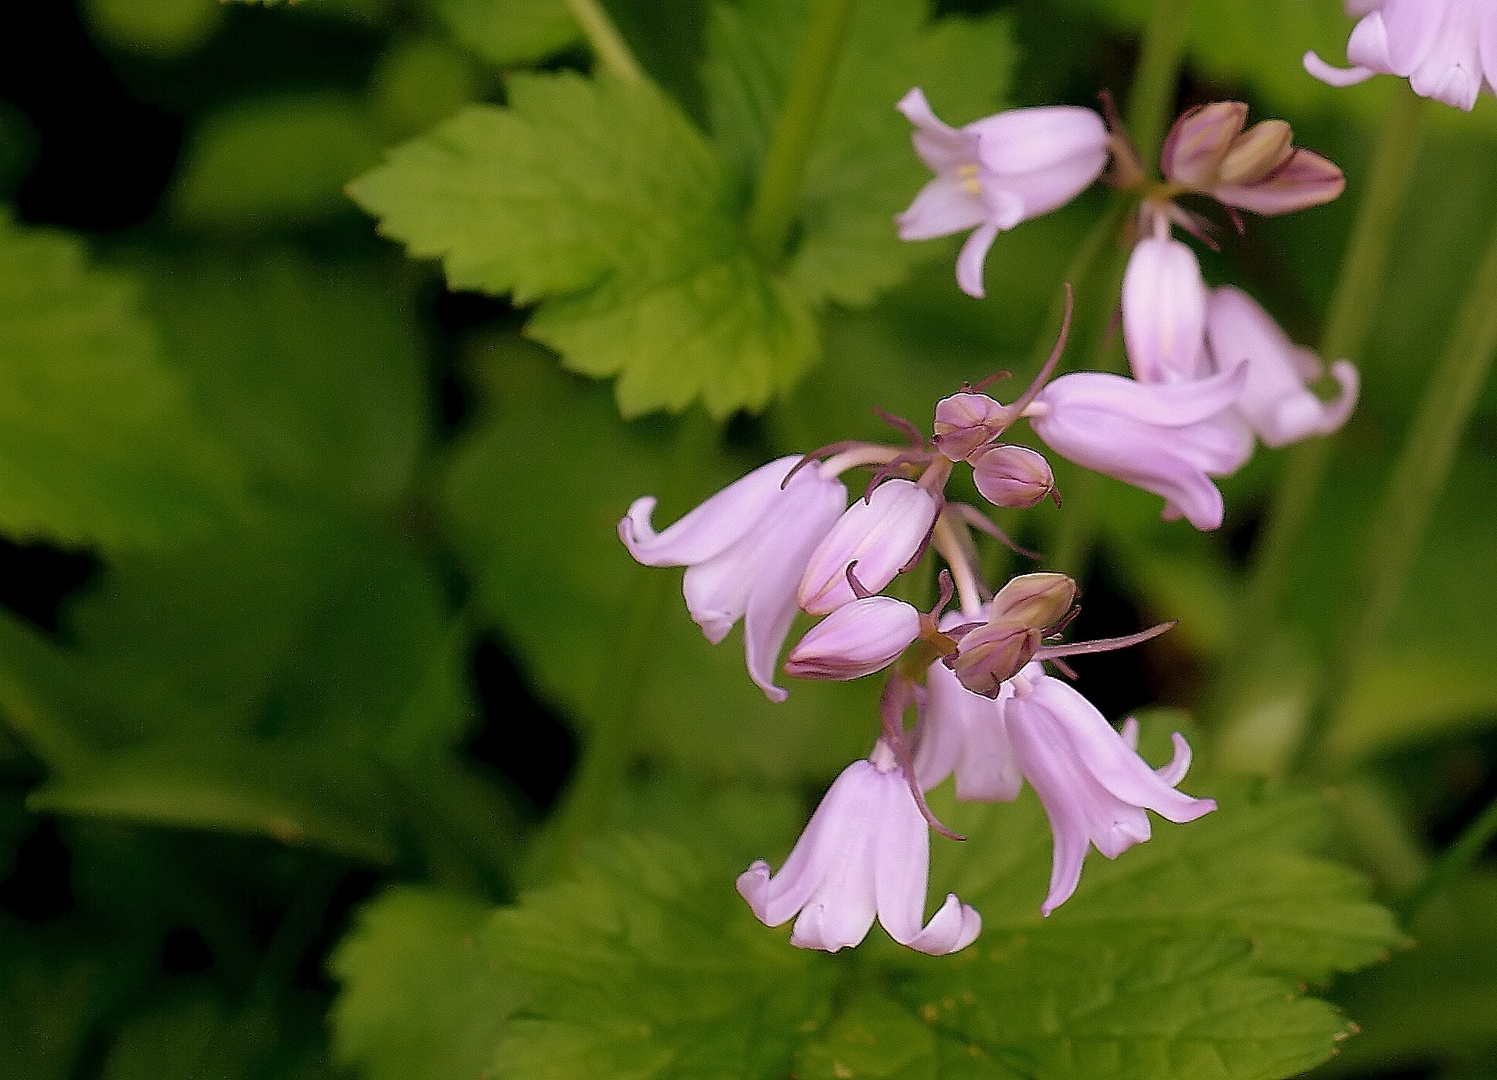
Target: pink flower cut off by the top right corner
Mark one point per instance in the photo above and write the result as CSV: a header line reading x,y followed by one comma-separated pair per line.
x,y
1445,49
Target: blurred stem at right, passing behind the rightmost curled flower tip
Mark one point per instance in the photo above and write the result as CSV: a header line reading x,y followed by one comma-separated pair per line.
x,y
1354,309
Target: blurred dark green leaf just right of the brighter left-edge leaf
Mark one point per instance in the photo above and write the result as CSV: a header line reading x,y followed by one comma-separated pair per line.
x,y
312,372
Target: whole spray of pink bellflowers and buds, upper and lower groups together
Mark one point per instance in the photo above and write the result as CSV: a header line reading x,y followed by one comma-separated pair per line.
x,y
986,682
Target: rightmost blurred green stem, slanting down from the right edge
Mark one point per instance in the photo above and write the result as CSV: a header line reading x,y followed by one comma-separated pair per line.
x,y
1412,492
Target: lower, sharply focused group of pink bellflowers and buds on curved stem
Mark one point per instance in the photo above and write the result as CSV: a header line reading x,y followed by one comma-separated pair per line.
x,y
784,540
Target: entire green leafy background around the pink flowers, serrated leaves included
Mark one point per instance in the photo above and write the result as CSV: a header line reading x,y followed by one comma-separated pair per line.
x,y
321,504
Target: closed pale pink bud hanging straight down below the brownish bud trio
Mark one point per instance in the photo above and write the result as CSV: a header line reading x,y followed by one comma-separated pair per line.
x,y
1165,312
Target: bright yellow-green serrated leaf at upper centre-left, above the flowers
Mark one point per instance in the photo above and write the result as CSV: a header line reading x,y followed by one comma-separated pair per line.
x,y
603,201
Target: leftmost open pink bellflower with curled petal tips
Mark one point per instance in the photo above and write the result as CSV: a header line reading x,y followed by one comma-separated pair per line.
x,y
745,550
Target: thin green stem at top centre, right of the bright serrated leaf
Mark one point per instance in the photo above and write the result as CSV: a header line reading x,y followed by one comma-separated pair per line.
x,y
779,191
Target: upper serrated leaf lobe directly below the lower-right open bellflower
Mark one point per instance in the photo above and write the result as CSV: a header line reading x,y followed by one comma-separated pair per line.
x,y
1239,874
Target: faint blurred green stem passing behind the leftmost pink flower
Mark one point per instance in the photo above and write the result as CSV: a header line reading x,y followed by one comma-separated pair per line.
x,y
594,793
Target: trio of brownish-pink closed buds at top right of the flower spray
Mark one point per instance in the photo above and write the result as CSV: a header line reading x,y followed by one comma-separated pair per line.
x,y
1258,170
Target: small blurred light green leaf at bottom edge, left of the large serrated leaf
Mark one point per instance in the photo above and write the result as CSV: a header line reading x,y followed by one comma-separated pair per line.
x,y
423,998
